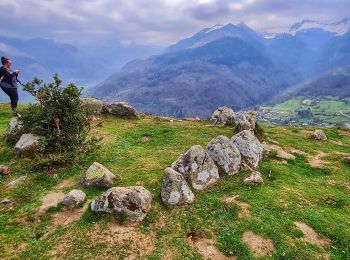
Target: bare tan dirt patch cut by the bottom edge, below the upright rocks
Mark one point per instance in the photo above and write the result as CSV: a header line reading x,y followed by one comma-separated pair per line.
x,y
206,248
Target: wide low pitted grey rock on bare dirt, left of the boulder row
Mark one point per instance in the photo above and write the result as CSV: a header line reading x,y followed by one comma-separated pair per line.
x,y
131,202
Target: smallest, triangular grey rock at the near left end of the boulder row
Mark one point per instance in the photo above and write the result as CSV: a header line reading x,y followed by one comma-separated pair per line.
x,y
175,190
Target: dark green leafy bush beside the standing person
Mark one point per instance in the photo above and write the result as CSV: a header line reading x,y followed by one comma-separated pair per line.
x,y
58,117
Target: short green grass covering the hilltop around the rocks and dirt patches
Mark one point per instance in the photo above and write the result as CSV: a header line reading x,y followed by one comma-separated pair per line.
x,y
291,192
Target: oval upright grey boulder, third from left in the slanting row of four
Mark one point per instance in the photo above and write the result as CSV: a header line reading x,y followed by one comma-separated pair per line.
x,y
225,155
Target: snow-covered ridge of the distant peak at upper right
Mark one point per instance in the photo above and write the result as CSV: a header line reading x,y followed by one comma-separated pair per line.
x,y
338,27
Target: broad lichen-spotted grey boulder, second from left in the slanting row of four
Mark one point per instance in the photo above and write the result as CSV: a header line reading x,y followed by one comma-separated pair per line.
x,y
197,167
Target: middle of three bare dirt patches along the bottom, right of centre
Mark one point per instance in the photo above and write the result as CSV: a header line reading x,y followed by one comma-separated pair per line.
x,y
260,246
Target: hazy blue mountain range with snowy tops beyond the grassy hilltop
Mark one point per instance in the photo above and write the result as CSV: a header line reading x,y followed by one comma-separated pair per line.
x,y
228,65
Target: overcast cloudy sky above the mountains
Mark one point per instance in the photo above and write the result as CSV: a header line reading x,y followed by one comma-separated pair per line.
x,y
153,22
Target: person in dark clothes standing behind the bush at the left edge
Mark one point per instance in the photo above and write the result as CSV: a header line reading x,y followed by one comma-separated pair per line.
x,y
8,82
